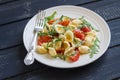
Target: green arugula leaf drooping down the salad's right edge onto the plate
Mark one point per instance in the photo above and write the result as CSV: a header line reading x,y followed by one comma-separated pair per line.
x,y
94,49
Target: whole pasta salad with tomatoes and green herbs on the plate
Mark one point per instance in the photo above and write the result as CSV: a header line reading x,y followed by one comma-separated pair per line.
x,y
67,38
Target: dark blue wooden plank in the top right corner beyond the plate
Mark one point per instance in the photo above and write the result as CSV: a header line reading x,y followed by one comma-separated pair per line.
x,y
107,9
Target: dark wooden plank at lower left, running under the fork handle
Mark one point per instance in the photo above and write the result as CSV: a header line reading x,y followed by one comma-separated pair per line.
x,y
11,62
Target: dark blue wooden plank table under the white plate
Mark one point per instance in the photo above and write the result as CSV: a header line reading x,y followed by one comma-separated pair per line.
x,y
14,15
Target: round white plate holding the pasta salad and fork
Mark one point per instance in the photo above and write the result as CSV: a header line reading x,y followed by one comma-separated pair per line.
x,y
71,11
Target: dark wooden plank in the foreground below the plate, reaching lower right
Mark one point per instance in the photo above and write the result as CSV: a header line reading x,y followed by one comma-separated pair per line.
x,y
105,68
